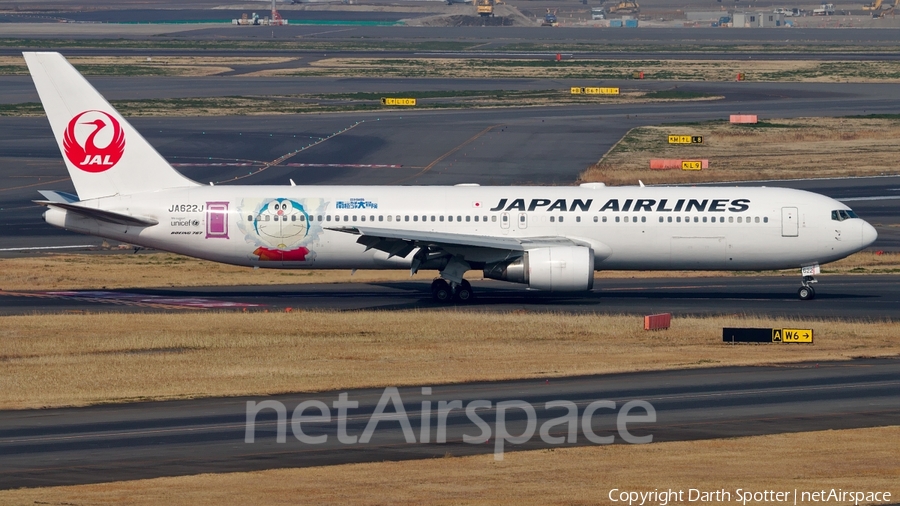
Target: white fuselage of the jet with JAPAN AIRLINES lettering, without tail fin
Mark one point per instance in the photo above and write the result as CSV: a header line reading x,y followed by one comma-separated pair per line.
x,y
708,228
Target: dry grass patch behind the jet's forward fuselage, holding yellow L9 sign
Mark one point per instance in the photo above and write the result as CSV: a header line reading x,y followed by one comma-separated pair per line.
x,y
772,149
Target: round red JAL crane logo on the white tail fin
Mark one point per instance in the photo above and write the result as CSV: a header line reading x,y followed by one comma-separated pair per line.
x,y
94,141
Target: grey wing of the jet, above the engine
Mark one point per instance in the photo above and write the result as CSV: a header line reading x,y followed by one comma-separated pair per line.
x,y
402,242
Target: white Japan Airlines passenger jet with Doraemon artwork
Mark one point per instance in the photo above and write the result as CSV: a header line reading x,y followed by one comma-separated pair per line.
x,y
548,238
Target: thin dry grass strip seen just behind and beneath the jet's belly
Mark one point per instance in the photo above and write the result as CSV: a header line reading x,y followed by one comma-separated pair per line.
x,y
159,270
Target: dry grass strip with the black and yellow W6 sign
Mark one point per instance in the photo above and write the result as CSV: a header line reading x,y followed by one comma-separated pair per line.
x,y
81,359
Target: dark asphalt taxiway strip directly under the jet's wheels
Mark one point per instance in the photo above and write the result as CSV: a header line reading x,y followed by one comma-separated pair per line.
x,y
855,297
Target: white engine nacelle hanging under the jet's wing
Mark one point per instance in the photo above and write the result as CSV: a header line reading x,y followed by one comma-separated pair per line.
x,y
555,269
